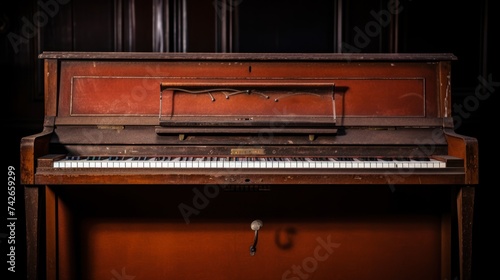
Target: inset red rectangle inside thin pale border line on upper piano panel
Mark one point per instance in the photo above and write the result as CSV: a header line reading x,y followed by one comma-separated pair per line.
x,y
363,98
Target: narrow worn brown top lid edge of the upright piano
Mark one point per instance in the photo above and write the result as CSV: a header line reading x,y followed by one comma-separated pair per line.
x,y
248,56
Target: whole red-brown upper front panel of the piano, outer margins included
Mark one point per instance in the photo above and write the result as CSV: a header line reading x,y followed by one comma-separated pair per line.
x,y
105,88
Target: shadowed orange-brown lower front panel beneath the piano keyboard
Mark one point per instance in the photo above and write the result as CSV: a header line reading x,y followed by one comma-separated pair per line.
x,y
204,232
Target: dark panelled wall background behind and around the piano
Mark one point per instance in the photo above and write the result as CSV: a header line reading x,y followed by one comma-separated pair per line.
x,y
464,28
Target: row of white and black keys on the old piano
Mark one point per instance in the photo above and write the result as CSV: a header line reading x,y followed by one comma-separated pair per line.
x,y
246,162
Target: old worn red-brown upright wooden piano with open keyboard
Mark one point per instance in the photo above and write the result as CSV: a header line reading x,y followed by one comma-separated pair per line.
x,y
248,166
